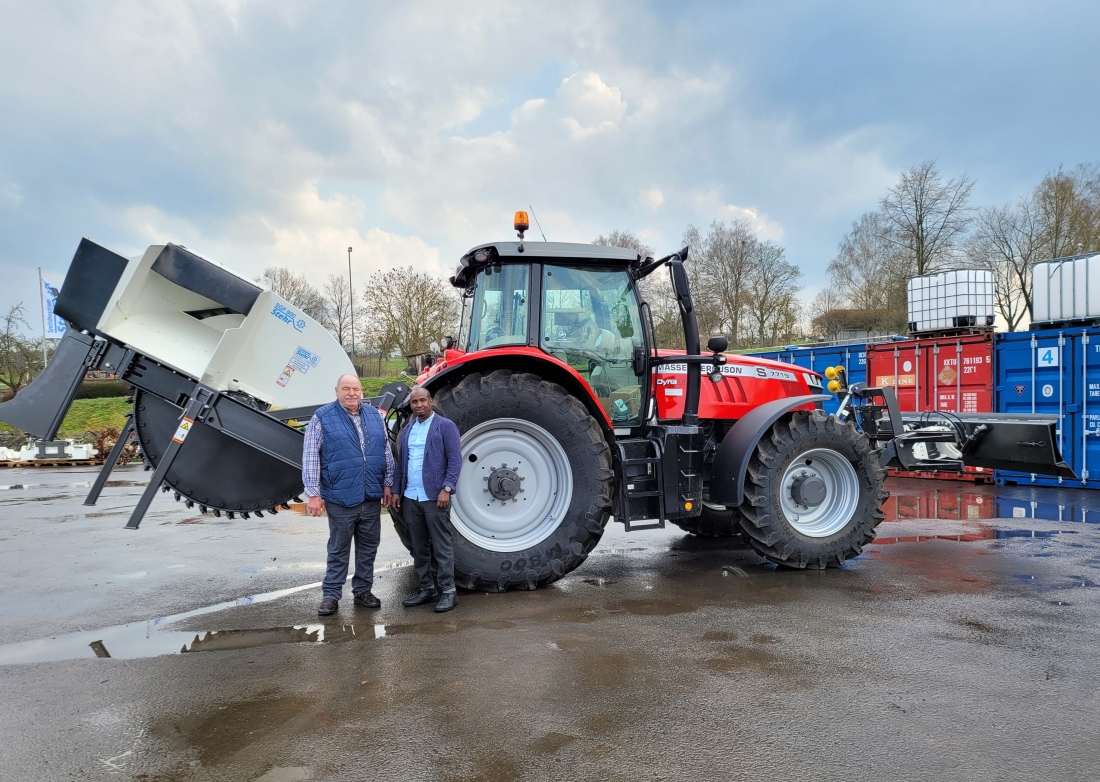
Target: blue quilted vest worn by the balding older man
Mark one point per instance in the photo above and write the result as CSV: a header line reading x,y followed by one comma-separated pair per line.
x,y
350,477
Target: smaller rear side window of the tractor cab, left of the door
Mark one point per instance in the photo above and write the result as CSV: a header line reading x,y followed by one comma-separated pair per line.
x,y
498,314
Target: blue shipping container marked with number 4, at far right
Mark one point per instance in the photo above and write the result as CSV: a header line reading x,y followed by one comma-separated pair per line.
x,y
1054,371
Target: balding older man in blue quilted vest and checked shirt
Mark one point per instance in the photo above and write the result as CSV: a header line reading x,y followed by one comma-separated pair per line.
x,y
348,469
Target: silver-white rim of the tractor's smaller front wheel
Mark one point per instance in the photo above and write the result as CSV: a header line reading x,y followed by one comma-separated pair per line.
x,y
841,488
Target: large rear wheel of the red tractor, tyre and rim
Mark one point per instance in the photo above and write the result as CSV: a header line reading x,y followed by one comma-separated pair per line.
x,y
535,492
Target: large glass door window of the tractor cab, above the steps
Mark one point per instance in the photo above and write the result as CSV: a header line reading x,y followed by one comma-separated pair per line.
x,y
591,322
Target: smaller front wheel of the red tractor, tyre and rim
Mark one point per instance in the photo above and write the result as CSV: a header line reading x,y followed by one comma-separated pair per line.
x,y
813,493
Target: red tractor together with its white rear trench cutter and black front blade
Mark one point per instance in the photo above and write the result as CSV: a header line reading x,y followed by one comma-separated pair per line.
x,y
568,412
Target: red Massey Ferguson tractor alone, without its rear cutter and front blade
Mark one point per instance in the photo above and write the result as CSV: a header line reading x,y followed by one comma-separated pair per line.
x,y
570,415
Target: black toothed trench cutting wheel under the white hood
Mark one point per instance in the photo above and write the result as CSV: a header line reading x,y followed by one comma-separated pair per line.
x,y
213,471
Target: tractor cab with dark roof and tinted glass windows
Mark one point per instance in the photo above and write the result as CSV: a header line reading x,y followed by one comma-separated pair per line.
x,y
576,303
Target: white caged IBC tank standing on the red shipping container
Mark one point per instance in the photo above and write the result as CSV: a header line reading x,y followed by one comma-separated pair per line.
x,y
951,301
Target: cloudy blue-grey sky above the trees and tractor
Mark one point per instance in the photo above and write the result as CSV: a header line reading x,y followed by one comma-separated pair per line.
x,y
272,133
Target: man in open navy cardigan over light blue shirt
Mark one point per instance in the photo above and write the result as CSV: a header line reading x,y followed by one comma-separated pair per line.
x,y
424,481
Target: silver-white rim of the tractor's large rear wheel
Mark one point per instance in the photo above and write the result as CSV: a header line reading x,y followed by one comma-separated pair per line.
x,y
531,500
